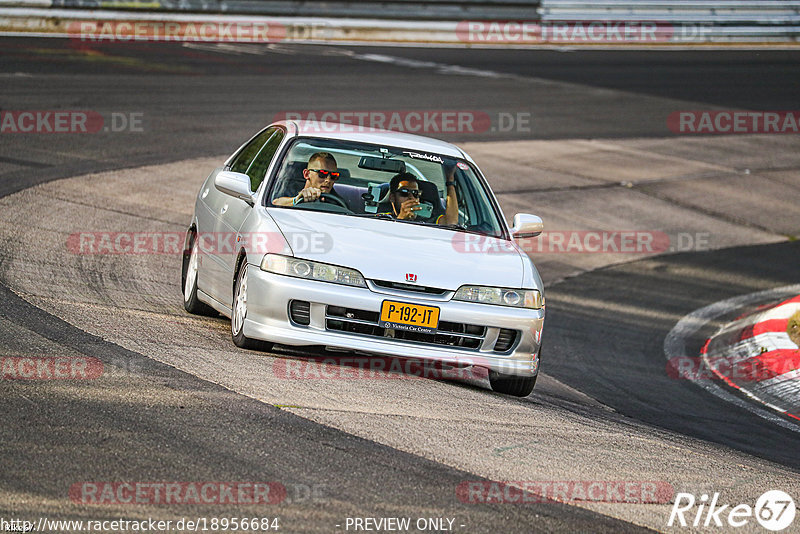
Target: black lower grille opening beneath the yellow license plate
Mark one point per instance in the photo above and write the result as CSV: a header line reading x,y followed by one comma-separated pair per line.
x,y
365,323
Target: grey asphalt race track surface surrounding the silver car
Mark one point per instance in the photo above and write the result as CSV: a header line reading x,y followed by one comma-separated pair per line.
x,y
178,402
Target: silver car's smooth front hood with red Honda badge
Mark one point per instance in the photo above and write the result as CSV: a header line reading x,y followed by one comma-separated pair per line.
x,y
390,250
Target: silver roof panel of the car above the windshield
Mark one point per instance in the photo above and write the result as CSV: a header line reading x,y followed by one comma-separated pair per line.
x,y
353,132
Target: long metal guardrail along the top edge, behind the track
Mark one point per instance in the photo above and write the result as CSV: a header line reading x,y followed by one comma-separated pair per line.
x,y
498,22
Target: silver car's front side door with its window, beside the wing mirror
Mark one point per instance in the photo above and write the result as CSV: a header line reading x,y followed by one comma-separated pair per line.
x,y
234,211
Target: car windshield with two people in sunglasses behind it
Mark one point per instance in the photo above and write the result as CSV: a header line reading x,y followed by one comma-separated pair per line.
x,y
362,188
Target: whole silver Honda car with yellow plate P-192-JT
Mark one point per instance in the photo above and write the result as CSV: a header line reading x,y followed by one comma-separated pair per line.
x,y
345,267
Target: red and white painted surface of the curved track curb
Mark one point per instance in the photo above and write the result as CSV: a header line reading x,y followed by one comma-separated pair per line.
x,y
766,360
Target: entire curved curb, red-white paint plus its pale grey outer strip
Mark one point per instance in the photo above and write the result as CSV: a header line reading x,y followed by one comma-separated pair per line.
x,y
758,342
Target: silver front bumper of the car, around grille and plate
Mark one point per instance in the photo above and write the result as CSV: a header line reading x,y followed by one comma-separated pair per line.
x,y
269,296
